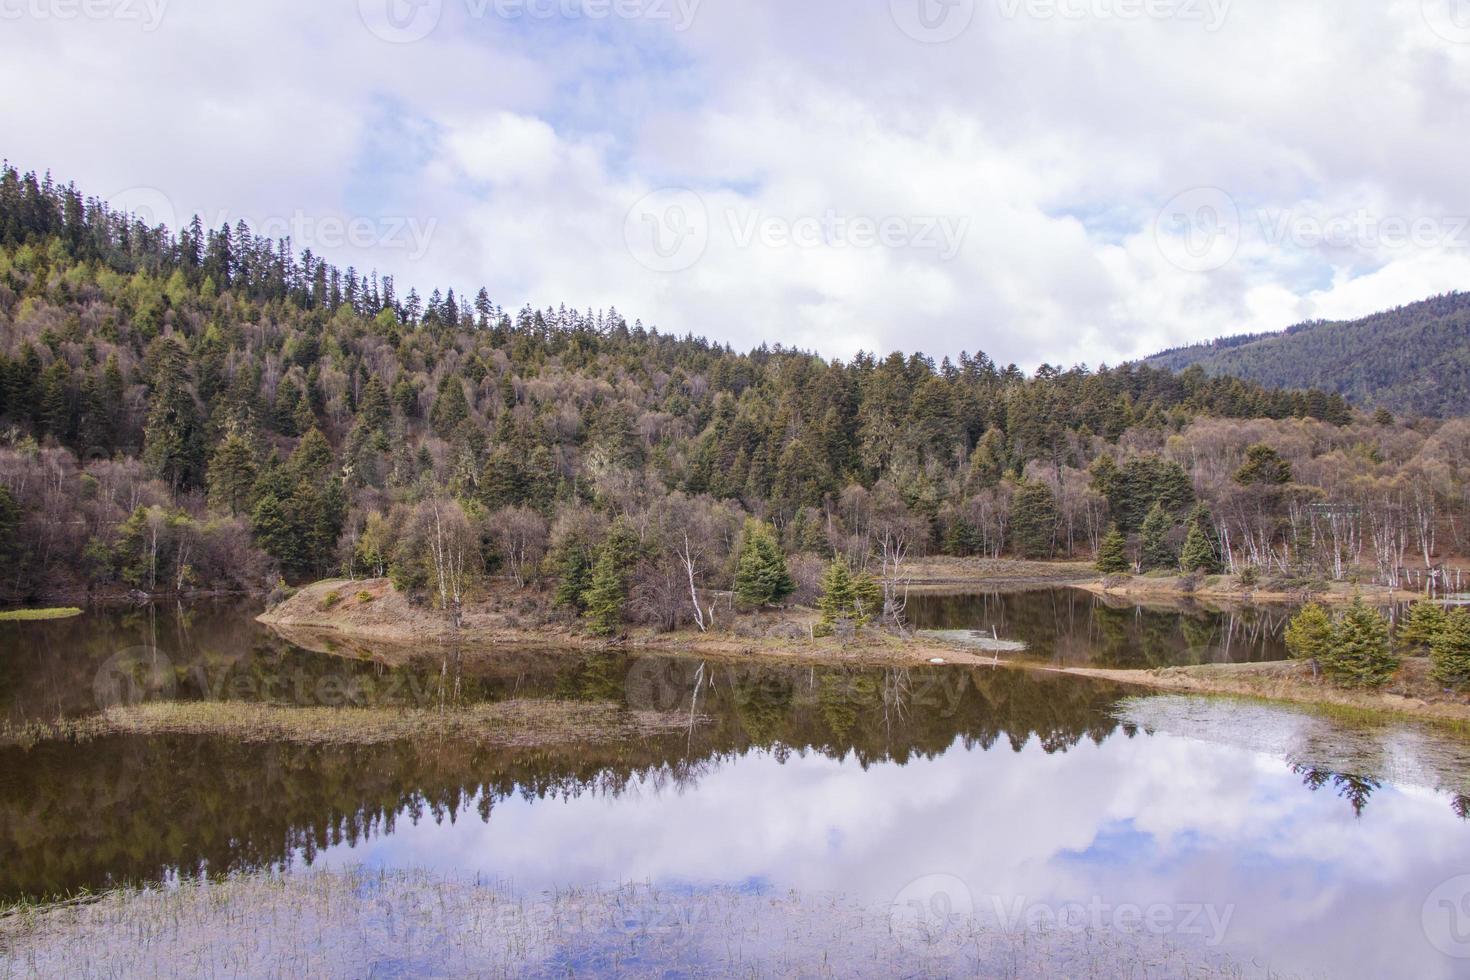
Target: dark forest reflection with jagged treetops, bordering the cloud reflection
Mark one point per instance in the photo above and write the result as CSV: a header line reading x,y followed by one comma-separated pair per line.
x,y
139,809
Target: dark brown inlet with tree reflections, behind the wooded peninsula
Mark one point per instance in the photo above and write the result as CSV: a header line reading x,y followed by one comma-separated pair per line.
x,y
1077,627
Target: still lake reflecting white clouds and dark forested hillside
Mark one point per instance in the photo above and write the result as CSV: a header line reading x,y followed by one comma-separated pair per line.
x,y
1068,813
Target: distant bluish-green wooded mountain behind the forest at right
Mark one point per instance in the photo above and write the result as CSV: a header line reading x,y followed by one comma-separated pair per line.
x,y
1413,359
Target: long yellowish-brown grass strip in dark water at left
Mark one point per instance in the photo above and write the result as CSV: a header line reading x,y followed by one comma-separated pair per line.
x,y
505,724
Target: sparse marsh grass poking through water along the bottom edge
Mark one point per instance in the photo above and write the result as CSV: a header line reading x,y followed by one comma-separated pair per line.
x,y
408,923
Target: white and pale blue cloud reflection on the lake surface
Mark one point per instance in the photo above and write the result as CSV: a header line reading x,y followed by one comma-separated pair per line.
x,y
1147,821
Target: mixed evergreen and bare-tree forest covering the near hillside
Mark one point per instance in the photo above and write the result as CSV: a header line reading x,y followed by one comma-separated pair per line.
x,y
209,411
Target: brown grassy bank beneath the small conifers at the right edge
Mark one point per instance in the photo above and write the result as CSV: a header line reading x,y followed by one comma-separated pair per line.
x,y
1412,694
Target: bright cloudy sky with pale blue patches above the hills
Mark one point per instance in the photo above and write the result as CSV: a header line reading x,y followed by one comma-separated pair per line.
x,y
1050,181
